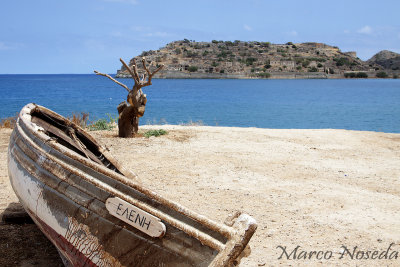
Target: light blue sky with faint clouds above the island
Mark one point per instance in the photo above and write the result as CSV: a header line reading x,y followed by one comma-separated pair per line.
x,y
79,36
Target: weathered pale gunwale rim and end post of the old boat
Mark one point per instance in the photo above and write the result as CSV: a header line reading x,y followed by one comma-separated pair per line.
x,y
237,236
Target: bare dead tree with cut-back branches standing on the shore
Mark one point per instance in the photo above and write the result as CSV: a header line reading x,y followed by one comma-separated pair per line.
x,y
131,110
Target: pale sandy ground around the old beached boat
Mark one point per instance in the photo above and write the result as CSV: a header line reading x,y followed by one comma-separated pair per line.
x,y
335,191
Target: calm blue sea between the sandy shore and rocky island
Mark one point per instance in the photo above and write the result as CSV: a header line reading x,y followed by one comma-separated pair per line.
x,y
354,104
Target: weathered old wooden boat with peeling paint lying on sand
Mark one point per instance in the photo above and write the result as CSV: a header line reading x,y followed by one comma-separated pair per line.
x,y
98,214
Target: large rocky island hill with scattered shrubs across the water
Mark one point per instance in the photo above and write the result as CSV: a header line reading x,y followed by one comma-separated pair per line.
x,y
238,59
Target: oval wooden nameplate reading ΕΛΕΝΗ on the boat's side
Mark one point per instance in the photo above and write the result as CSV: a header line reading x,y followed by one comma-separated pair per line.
x,y
136,217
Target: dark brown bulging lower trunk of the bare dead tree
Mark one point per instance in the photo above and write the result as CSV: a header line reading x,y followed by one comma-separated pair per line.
x,y
128,122
